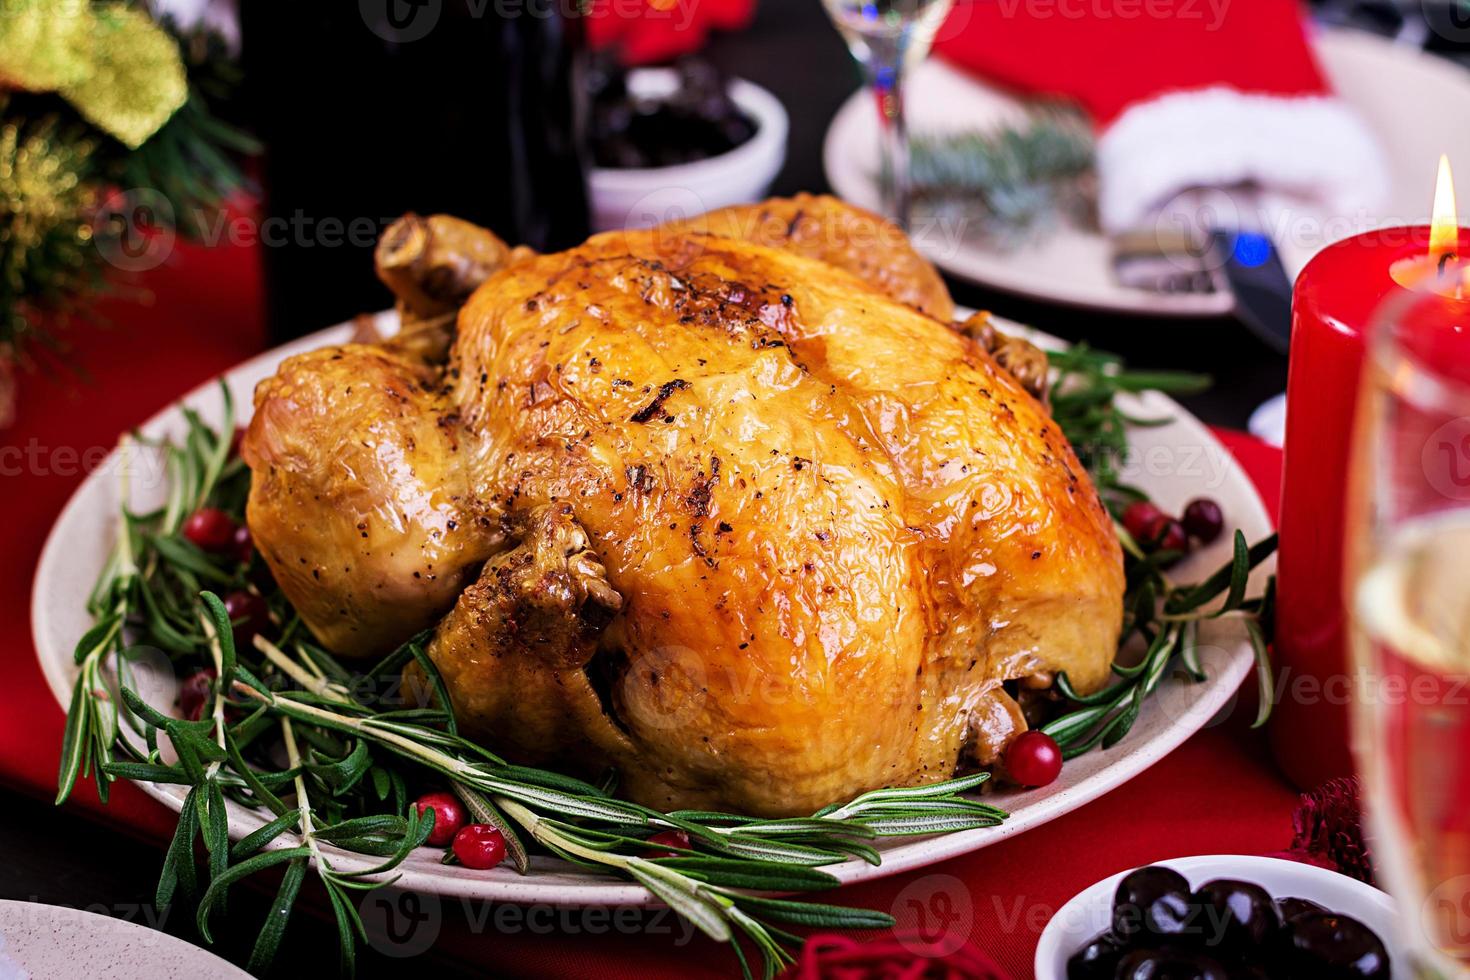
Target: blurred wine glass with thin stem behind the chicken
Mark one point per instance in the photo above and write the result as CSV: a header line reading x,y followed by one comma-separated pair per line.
x,y
889,37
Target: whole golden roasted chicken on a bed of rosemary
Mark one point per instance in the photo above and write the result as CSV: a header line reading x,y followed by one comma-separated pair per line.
x,y
730,506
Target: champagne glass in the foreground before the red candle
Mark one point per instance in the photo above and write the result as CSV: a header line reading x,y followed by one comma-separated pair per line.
x,y
1409,580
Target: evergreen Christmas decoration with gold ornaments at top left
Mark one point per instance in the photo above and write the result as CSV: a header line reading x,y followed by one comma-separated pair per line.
x,y
98,104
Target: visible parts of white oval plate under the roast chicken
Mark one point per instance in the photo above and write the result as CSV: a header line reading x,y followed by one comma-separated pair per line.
x,y
1174,464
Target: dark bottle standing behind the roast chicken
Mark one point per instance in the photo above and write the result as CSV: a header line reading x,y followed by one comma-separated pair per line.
x,y
370,109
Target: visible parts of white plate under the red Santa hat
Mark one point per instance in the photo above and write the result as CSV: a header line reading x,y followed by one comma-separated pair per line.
x,y
1413,102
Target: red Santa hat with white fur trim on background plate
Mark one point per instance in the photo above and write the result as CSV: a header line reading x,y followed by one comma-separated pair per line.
x,y
1184,93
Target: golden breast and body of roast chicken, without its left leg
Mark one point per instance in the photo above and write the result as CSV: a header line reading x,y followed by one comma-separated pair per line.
x,y
836,525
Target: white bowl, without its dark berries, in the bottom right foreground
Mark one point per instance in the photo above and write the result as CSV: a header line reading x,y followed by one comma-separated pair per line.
x,y
1091,910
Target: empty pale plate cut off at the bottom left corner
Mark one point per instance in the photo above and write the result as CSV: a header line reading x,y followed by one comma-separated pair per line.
x,y
43,943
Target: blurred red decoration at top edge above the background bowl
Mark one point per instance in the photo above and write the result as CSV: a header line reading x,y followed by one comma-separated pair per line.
x,y
648,32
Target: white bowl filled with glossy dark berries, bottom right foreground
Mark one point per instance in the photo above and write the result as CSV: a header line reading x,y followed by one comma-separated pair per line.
x,y
1222,918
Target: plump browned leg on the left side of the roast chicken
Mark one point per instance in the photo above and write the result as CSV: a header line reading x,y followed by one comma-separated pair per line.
x,y
361,500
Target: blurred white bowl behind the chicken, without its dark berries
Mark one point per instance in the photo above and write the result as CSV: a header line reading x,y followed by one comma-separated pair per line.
x,y
652,196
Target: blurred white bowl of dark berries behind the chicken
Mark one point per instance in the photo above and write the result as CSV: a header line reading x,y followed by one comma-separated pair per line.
x,y
673,143
